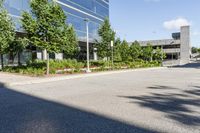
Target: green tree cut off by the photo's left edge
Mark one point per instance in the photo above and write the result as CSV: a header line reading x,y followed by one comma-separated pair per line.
x,y
7,31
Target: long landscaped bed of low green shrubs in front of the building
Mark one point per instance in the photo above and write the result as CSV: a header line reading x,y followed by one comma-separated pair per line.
x,y
38,67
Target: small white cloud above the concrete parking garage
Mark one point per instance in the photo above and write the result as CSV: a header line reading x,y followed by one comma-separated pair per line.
x,y
176,23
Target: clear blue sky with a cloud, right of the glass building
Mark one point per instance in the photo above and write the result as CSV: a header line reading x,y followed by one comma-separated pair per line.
x,y
154,19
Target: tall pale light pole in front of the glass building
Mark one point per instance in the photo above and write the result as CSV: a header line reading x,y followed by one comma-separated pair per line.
x,y
88,50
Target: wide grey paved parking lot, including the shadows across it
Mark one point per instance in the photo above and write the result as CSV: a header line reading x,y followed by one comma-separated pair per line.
x,y
160,100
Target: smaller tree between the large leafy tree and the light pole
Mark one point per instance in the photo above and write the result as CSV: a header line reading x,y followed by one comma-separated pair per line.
x,y
70,45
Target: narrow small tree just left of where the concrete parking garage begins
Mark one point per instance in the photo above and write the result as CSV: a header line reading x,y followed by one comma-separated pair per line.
x,y
125,51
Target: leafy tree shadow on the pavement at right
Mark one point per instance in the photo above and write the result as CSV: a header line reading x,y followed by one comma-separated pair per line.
x,y
175,105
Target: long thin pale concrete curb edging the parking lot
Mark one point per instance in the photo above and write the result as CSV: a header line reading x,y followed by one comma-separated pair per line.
x,y
54,79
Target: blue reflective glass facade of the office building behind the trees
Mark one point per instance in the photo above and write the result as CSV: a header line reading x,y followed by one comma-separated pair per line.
x,y
76,10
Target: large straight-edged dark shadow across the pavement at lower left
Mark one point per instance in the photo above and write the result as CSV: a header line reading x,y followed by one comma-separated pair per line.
x,y
22,113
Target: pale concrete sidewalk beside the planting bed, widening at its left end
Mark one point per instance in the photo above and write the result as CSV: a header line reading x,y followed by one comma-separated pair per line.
x,y
7,79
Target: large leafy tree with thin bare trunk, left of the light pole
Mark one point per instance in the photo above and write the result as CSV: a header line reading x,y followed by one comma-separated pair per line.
x,y
44,26
